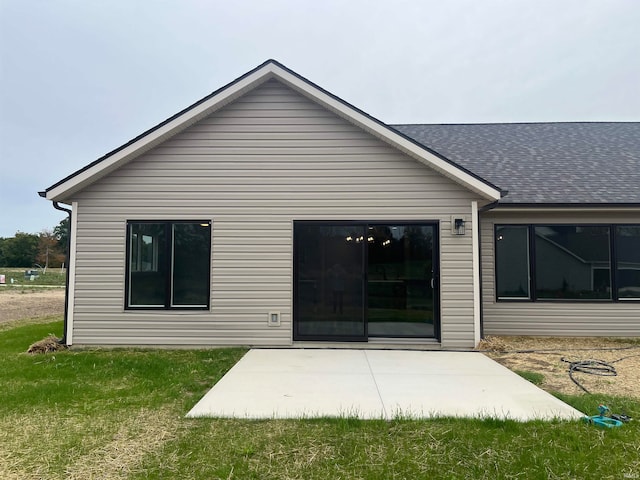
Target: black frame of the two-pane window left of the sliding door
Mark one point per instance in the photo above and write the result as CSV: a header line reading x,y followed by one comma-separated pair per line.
x,y
168,231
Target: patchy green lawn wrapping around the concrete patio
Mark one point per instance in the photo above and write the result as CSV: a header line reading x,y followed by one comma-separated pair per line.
x,y
120,414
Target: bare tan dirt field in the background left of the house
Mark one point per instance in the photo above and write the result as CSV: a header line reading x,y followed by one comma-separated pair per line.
x,y
20,304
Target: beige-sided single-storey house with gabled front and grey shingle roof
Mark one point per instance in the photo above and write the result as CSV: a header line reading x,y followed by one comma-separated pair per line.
x,y
272,213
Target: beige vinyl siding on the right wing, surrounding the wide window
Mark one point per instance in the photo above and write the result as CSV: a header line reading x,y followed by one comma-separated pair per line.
x,y
552,317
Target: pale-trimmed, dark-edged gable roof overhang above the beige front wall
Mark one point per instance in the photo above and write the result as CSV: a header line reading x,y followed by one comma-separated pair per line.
x,y
271,69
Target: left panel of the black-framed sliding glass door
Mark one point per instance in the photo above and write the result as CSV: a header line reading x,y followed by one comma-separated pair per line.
x,y
329,282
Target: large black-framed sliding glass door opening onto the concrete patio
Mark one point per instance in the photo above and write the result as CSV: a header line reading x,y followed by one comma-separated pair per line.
x,y
358,280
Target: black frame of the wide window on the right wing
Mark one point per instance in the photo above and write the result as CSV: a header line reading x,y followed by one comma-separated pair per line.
x,y
613,263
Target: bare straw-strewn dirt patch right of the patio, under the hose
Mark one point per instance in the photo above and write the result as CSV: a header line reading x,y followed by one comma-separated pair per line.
x,y
544,355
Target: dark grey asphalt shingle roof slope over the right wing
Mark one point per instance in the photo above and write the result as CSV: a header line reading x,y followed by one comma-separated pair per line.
x,y
553,163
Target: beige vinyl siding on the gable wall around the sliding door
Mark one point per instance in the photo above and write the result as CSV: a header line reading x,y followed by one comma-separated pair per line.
x,y
252,168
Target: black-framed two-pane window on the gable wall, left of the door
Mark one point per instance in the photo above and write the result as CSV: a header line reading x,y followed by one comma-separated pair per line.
x,y
168,264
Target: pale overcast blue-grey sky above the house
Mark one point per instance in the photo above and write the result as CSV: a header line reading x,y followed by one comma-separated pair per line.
x,y
79,78
